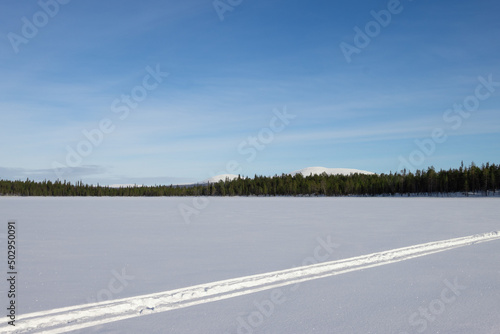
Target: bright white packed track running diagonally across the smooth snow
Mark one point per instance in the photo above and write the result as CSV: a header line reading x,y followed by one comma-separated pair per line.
x,y
83,316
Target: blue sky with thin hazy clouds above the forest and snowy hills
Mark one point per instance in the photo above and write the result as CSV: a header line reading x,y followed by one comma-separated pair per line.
x,y
67,67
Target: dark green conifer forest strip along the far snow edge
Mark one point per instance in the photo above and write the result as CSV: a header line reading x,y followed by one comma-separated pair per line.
x,y
467,180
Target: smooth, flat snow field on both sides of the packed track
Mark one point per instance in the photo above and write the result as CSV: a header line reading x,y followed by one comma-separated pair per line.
x,y
75,251
